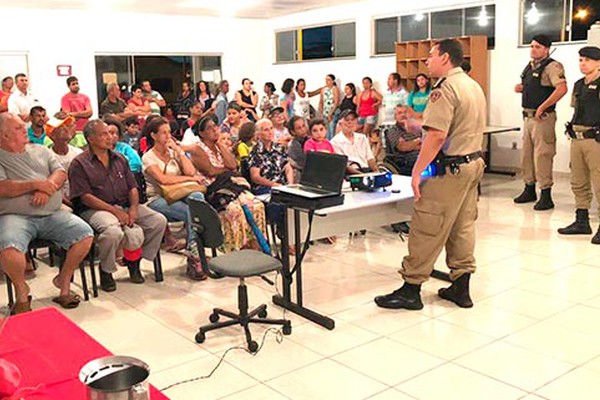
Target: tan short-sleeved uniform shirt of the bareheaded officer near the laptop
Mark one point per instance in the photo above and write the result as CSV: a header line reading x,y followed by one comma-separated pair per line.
x,y
457,106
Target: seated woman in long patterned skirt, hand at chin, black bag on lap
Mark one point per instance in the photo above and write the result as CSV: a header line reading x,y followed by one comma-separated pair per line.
x,y
226,190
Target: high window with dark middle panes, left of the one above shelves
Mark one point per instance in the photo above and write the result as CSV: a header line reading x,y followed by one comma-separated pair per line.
x,y
316,43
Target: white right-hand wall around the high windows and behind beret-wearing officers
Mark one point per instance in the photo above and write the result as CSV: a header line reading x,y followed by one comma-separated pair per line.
x,y
506,63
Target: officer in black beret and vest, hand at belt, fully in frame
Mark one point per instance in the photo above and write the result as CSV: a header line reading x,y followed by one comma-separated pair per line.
x,y
542,85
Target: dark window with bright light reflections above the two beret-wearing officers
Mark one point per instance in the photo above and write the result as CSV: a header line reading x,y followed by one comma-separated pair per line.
x,y
561,20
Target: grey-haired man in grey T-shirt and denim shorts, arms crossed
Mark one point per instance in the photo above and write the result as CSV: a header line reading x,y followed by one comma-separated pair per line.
x,y
30,198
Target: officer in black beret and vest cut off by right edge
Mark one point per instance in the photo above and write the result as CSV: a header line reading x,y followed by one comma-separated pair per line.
x,y
584,131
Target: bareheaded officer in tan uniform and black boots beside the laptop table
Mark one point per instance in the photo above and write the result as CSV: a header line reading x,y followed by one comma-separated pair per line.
x,y
446,204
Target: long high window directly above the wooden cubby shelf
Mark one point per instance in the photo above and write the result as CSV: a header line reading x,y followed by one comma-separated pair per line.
x,y
480,20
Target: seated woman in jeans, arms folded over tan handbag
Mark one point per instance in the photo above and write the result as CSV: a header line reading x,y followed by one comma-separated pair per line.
x,y
167,169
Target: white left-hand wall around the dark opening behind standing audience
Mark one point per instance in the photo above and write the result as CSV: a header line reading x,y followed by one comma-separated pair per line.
x,y
52,37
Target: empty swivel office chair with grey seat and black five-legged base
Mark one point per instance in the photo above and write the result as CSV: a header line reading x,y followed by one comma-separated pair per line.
x,y
239,264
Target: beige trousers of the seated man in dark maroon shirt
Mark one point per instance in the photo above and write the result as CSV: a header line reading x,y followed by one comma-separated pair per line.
x,y
147,233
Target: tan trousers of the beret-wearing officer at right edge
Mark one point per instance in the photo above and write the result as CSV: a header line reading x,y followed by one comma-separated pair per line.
x,y
585,171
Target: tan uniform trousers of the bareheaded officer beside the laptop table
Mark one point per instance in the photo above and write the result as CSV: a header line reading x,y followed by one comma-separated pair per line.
x,y
444,216
